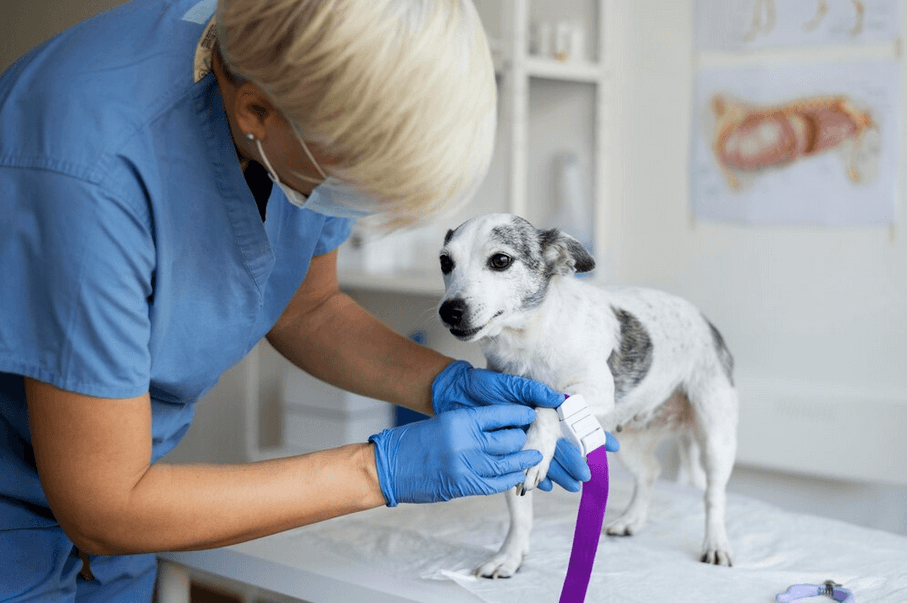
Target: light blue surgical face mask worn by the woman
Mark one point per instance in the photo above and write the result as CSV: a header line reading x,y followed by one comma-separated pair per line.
x,y
329,198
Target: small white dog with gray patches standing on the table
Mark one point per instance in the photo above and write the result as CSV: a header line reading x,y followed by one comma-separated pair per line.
x,y
648,364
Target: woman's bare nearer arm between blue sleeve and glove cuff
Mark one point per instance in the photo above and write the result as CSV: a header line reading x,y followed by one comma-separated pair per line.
x,y
92,456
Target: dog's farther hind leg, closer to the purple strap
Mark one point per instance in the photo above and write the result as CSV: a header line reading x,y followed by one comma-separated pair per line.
x,y
637,454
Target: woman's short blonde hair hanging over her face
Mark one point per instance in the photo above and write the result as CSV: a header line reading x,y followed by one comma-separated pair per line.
x,y
400,92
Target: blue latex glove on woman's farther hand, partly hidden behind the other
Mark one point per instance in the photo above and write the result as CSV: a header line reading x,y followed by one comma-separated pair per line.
x,y
460,385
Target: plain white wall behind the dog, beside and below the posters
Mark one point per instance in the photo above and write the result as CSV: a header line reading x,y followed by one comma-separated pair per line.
x,y
829,305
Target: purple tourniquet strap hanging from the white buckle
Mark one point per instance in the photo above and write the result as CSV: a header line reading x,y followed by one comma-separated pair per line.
x,y
588,528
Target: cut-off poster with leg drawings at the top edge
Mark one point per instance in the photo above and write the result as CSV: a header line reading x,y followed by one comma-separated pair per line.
x,y
723,25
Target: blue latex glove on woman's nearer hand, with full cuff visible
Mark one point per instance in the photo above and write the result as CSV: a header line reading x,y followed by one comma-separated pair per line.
x,y
457,453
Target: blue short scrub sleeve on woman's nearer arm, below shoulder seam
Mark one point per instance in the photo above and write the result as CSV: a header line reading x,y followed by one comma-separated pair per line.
x,y
78,264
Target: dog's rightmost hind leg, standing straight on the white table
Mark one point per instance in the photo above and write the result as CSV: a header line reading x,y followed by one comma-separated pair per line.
x,y
716,431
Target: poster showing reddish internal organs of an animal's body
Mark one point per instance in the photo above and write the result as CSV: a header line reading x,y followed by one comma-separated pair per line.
x,y
812,144
